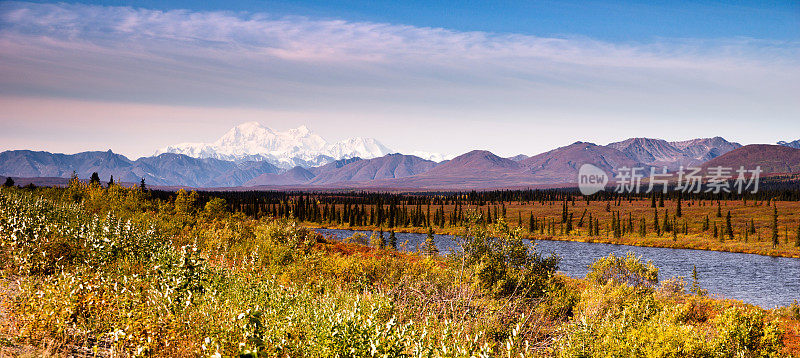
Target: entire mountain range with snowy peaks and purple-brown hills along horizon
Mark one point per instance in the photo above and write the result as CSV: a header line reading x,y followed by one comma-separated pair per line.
x,y
254,156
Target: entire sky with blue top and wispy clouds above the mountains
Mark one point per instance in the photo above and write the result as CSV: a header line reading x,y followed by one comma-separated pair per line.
x,y
437,76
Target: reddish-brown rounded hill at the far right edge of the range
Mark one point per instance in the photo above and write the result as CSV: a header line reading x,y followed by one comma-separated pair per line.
x,y
771,158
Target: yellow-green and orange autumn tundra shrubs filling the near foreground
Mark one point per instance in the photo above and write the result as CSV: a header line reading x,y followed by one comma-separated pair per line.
x,y
115,271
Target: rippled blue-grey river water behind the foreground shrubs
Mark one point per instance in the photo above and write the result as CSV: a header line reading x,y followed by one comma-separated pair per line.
x,y
760,280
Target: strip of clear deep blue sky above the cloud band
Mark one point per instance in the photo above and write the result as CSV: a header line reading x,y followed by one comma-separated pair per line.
x,y
631,20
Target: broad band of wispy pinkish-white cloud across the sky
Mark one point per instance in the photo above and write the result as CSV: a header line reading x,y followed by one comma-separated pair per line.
x,y
285,63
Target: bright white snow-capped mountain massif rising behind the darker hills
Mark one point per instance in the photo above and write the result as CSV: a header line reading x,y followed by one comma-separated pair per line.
x,y
252,141
